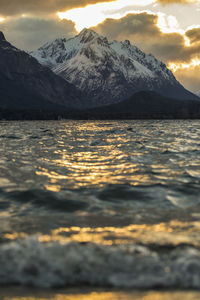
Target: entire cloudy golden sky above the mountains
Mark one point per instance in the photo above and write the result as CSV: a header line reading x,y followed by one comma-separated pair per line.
x,y
169,29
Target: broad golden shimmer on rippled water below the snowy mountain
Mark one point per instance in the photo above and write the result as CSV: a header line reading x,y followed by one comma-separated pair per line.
x,y
94,154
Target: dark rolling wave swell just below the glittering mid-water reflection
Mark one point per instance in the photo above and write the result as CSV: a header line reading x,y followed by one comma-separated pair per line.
x,y
154,196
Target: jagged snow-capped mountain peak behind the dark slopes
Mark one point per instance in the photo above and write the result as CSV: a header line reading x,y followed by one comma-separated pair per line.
x,y
108,72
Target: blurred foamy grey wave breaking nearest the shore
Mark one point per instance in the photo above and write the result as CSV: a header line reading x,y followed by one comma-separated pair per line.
x,y
52,264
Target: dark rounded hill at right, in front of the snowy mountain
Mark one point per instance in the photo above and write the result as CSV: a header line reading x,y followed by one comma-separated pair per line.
x,y
146,105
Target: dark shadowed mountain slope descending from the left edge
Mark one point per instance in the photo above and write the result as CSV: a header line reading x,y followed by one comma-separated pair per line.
x,y
25,83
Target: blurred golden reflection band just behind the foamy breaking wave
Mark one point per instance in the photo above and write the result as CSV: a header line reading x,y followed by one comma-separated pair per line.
x,y
174,233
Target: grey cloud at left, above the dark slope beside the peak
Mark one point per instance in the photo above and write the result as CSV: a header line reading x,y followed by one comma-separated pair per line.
x,y
31,33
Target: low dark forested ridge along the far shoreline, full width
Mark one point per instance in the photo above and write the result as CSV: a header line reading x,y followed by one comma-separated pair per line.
x,y
142,105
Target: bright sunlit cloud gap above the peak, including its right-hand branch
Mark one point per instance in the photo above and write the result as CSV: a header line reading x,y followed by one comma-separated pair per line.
x,y
97,13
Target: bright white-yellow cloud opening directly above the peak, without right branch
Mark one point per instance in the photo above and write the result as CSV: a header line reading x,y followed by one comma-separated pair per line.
x,y
92,15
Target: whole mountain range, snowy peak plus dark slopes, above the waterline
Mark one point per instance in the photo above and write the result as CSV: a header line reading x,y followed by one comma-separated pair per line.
x,y
102,80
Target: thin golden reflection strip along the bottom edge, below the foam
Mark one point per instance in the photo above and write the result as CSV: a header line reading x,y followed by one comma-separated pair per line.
x,y
113,295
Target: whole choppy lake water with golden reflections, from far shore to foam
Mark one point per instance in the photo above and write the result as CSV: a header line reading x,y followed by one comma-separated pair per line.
x,y
108,204
